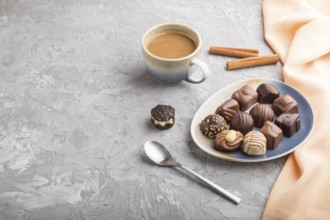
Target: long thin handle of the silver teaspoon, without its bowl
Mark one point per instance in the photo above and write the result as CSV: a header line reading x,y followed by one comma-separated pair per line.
x,y
217,188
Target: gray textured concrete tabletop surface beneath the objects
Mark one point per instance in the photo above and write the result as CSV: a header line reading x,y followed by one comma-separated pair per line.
x,y
75,99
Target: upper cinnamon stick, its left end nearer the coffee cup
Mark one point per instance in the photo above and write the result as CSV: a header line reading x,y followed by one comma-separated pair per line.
x,y
234,52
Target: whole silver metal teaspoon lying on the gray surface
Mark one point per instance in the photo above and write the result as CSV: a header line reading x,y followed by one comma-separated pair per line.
x,y
161,156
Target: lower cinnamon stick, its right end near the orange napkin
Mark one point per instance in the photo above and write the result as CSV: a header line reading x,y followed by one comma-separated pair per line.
x,y
252,61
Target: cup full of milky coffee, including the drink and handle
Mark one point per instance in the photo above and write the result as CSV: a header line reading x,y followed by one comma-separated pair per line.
x,y
169,50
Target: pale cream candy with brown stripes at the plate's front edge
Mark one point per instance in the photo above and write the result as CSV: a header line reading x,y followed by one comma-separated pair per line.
x,y
254,143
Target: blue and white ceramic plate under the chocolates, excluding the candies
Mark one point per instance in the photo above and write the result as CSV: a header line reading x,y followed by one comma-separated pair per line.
x,y
287,145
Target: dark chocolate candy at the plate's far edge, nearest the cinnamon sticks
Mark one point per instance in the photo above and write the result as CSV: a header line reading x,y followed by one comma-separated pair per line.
x,y
267,93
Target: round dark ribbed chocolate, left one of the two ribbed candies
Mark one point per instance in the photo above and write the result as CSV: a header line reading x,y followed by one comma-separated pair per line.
x,y
242,121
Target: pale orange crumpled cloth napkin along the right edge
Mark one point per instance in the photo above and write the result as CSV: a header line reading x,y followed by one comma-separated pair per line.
x,y
299,31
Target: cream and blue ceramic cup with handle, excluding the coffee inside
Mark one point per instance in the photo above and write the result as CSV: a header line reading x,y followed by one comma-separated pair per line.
x,y
174,70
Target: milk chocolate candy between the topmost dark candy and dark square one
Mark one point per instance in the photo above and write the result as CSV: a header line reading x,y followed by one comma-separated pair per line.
x,y
285,104
